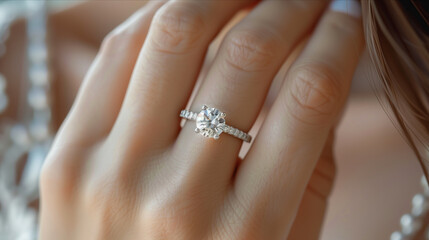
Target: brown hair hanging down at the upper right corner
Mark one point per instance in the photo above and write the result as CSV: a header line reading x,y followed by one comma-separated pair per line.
x,y
397,36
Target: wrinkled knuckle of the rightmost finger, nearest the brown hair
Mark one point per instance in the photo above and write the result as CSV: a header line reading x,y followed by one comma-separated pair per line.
x,y
314,93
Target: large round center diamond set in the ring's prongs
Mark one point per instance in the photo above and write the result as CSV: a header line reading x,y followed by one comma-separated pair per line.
x,y
210,122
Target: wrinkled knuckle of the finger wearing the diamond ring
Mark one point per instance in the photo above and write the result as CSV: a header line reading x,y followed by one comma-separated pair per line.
x,y
251,50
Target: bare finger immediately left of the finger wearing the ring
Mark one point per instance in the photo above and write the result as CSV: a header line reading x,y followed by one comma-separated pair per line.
x,y
168,67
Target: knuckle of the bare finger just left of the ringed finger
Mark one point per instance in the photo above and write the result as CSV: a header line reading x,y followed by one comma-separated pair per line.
x,y
177,27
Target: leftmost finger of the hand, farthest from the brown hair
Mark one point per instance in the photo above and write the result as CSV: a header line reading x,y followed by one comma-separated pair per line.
x,y
99,99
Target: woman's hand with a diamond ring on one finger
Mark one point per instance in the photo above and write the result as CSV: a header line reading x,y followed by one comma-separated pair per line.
x,y
121,166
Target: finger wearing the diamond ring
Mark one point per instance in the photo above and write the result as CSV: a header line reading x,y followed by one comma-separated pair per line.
x,y
249,58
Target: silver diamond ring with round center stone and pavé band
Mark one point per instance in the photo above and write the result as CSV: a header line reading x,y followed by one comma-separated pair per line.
x,y
211,123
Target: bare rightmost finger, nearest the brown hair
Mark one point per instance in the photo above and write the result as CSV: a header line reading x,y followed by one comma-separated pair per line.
x,y
273,177
